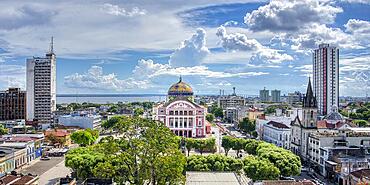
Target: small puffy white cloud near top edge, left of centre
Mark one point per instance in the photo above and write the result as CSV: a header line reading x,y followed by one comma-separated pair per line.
x,y
119,11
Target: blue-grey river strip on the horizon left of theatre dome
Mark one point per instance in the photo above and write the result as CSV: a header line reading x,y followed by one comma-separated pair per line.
x,y
102,99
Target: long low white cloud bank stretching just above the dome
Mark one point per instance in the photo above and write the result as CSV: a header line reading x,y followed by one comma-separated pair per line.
x,y
143,75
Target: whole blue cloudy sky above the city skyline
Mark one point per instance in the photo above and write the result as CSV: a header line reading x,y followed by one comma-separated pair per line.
x,y
143,46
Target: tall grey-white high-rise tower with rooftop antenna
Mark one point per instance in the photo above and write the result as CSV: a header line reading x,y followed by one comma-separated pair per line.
x,y
41,88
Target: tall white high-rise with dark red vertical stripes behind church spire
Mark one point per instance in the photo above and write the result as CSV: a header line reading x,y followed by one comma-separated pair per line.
x,y
326,77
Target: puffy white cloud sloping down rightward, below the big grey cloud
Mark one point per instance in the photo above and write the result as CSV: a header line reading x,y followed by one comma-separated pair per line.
x,y
240,42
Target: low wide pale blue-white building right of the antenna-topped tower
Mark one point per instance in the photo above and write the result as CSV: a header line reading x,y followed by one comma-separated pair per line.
x,y
81,120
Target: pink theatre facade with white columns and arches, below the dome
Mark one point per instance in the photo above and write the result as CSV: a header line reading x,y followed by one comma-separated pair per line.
x,y
183,117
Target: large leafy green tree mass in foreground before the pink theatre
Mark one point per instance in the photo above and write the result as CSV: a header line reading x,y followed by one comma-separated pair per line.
x,y
147,153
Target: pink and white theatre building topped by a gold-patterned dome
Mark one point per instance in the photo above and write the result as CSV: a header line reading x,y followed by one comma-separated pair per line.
x,y
180,113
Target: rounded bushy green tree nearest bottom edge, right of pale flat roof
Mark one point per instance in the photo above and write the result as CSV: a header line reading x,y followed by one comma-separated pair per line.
x,y
260,169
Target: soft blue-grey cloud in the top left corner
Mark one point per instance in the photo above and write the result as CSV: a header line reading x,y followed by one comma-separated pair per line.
x,y
18,17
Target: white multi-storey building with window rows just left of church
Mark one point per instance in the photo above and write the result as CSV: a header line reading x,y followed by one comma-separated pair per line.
x,y
277,133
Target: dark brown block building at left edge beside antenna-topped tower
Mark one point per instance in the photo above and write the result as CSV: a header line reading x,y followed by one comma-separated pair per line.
x,y
12,104
